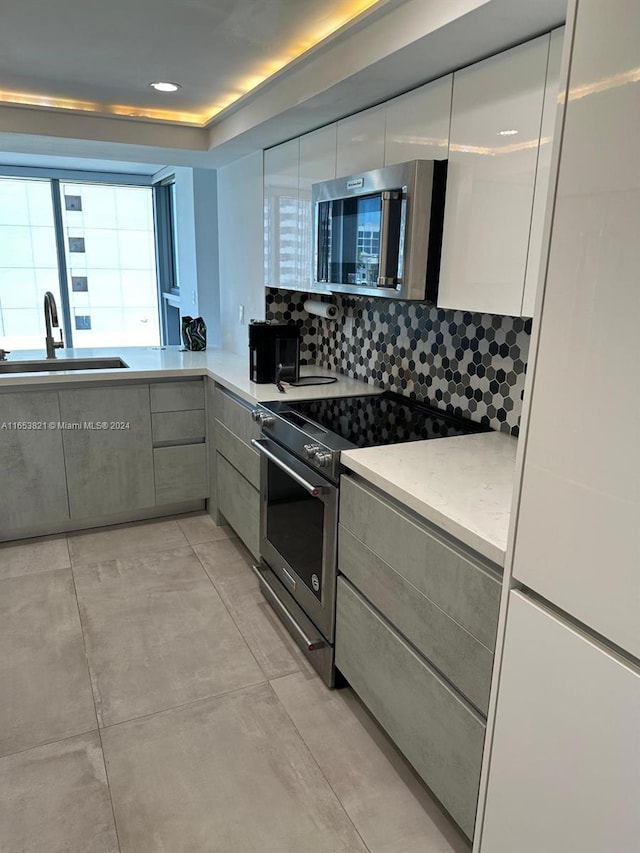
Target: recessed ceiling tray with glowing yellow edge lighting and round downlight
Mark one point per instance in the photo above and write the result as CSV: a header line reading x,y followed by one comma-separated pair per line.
x,y
105,54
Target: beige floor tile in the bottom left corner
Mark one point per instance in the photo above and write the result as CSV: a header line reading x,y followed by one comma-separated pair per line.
x,y
55,799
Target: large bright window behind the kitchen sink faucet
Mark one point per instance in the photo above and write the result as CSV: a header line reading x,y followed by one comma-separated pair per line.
x,y
93,246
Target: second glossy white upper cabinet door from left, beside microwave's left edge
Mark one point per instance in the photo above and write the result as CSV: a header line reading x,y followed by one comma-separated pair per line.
x,y
317,163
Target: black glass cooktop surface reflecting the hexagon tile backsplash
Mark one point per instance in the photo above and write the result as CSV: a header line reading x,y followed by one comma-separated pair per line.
x,y
387,418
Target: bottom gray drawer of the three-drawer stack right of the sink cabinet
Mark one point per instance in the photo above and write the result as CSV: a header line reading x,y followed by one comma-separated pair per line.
x,y
180,473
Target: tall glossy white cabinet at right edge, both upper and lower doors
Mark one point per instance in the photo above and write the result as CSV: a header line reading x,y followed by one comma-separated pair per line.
x,y
564,768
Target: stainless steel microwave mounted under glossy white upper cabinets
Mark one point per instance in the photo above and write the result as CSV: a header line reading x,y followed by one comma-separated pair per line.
x,y
379,233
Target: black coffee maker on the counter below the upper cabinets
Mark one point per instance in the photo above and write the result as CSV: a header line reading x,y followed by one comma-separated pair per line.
x,y
272,345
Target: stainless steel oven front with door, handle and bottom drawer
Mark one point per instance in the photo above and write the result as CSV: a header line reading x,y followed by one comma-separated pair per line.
x,y
298,533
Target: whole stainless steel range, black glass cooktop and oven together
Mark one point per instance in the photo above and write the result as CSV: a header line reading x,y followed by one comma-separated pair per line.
x,y
300,449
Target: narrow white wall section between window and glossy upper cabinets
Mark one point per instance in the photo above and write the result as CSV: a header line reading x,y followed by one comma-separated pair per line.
x,y
240,240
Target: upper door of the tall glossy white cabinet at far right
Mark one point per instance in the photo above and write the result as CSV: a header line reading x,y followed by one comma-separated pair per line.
x,y
577,535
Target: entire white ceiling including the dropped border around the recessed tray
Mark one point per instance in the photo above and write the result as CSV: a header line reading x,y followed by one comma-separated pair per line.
x,y
395,46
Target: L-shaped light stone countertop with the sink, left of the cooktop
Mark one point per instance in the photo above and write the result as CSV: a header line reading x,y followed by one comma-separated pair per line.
x,y
152,363
